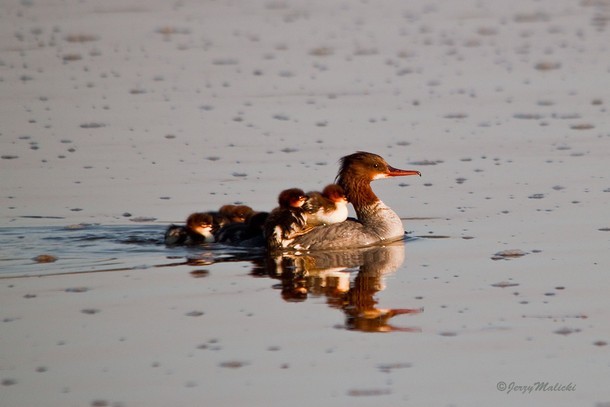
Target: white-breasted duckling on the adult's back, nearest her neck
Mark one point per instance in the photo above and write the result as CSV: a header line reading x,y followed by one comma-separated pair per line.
x,y
327,207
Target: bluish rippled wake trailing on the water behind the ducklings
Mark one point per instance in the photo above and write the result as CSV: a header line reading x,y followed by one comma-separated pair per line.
x,y
87,248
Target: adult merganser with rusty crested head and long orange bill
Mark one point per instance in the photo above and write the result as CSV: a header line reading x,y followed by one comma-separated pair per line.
x,y
376,222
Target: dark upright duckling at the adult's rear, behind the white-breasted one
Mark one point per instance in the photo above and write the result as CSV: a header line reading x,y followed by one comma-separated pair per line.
x,y
287,220
